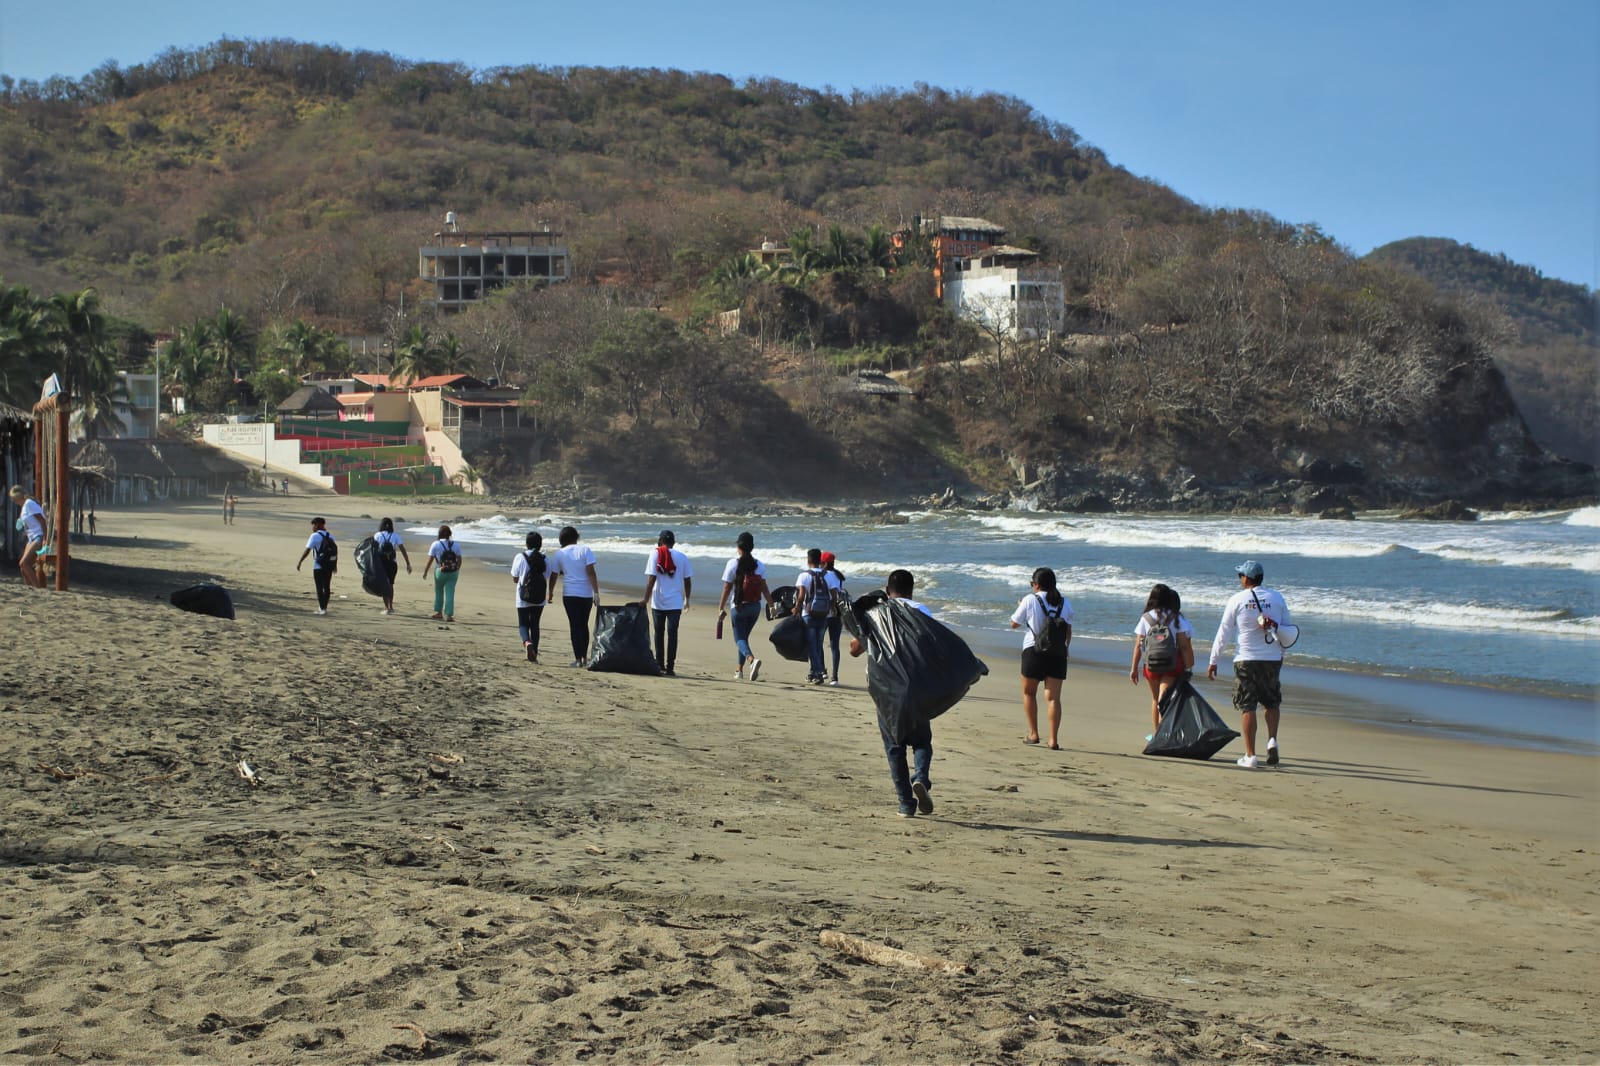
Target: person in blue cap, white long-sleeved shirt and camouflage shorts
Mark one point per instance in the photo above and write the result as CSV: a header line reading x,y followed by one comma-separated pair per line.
x,y
1252,617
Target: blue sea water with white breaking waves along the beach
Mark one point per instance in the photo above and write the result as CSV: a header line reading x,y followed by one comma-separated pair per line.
x,y
1492,628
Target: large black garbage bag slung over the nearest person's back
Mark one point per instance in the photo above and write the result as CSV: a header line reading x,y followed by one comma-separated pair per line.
x,y
918,668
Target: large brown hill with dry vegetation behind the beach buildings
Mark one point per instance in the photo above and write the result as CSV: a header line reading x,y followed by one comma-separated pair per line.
x,y
1212,358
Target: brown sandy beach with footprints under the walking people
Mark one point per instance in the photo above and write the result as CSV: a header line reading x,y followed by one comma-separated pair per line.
x,y
452,854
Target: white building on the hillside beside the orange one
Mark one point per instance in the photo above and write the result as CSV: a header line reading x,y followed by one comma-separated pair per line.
x,y
1006,291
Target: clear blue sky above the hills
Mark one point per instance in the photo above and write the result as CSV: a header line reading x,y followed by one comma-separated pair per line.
x,y
1377,121
